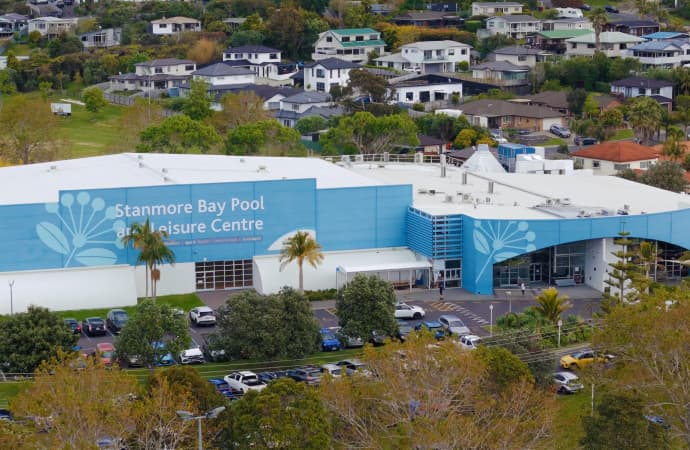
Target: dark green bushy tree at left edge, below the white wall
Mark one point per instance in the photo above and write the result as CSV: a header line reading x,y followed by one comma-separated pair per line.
x,y
27,339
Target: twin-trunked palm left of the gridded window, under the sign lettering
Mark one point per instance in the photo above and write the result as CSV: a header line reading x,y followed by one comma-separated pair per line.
x,y
152,251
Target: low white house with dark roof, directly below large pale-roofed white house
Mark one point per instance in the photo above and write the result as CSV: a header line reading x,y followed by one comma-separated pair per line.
x,y
426,89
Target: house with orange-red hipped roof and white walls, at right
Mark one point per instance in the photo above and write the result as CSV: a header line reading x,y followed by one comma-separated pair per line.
x,y
609,158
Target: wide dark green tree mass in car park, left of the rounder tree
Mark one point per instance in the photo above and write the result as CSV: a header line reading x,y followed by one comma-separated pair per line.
x,y
265,327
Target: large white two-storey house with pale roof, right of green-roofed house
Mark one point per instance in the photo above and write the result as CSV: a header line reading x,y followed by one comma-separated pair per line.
x,y
427,57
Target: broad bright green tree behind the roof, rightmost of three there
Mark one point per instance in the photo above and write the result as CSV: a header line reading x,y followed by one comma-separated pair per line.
x,y
370,134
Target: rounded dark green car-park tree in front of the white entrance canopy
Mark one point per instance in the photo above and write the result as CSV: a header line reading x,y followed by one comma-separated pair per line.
x,y
366,304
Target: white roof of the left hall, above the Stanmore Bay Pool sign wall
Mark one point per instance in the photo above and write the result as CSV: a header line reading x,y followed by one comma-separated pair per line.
x,y
40,183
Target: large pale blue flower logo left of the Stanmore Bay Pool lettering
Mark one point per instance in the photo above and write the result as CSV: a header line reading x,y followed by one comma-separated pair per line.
x,y
87,225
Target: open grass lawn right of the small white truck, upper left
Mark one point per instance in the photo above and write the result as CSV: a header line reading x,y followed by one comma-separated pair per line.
x,y
91,134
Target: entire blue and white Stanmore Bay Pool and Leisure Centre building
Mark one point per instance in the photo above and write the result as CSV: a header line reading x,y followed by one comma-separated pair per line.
x,y
62,224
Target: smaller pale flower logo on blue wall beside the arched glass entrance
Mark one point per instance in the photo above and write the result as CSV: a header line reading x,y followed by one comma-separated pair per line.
x,y
500,243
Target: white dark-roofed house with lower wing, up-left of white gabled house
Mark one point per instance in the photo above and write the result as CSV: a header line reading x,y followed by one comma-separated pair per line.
x,y
264,61
